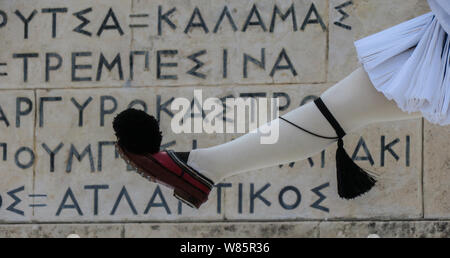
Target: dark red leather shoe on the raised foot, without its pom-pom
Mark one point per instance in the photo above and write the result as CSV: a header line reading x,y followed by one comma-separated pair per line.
x,y
166,168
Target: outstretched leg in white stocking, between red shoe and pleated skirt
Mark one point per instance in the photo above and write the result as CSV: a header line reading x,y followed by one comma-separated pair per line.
x,y
354,102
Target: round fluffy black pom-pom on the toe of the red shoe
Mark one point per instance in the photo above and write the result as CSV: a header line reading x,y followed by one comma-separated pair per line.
x,y
137,132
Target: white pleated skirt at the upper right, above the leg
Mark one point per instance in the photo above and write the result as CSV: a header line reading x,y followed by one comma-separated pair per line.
x,y
409,63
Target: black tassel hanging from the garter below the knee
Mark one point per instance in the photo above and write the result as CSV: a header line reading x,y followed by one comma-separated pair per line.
x,y
352,180
